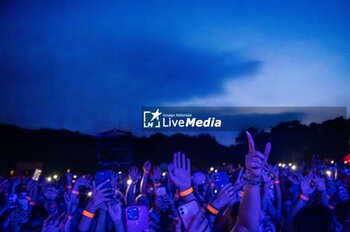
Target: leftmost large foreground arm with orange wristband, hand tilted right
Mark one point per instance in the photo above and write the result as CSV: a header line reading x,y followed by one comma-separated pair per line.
x,y
99,197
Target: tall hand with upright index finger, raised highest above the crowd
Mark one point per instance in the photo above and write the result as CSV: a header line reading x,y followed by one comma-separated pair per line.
x,y
255,160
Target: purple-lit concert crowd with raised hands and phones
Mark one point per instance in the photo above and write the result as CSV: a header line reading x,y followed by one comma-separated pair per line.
x,y
257,196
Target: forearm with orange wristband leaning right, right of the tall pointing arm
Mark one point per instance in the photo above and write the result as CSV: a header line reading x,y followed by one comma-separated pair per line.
x,y
307,189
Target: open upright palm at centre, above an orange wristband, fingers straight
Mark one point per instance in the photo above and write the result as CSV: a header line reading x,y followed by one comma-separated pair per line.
x,y
180,171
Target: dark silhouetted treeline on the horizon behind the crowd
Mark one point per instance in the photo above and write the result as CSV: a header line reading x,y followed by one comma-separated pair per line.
x,y
59,149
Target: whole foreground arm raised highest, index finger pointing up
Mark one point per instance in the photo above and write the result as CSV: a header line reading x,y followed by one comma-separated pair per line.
x,y
249,210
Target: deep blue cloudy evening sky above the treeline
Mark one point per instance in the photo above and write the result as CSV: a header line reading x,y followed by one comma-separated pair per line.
x,y
88,66
